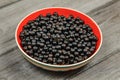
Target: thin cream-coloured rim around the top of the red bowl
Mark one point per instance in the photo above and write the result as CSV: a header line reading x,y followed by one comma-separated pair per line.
x,y
59,66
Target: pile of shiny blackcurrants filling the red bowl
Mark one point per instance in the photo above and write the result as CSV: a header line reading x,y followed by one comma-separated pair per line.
x,y
59,40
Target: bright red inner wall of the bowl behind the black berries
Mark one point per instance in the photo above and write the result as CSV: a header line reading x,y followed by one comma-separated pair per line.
x,y
65,12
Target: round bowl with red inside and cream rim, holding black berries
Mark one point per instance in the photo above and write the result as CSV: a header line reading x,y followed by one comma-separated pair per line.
x,y
66,12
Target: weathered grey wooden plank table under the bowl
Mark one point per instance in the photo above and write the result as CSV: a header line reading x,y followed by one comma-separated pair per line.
x,y
105,65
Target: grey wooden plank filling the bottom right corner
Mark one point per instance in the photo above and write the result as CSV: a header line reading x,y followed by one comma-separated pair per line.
x,y
107,70
